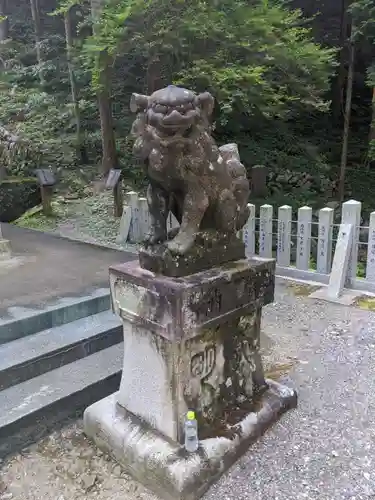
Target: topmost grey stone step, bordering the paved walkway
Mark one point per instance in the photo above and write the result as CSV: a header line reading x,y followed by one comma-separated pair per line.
x,y
19,322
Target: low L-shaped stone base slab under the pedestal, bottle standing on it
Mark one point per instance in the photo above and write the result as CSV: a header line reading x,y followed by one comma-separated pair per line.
x,y
162,465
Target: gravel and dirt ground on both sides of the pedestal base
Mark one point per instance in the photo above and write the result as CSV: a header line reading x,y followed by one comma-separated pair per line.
x,y
321,451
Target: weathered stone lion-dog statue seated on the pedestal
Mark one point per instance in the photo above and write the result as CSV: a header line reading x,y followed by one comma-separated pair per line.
x,y
204,186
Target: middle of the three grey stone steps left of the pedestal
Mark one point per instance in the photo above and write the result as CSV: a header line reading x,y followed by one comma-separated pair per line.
x,y
42,352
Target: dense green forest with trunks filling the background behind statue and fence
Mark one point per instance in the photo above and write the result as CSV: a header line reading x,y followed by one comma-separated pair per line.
x,y
294,84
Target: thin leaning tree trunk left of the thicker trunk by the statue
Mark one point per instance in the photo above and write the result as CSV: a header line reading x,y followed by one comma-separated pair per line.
x,y
73,86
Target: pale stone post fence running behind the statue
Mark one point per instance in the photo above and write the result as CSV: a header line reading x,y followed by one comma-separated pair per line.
x,y
304,248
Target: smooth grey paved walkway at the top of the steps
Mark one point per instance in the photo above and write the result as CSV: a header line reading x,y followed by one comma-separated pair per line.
x,y
46,267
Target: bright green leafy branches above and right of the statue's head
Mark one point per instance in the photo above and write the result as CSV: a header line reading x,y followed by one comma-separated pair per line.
x,y
257,62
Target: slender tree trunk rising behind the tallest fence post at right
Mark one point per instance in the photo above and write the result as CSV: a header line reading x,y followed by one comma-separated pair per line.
x,y
348,108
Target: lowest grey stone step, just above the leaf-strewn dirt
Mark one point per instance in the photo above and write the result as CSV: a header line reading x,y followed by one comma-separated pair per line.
x,y
34,408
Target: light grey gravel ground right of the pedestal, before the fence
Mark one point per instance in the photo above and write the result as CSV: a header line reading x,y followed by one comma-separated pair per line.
x,y
324,449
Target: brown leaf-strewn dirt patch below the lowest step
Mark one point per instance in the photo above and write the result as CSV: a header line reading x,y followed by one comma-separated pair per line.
x,y
65,466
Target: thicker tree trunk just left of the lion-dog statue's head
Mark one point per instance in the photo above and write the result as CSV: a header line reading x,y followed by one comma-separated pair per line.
x,y
109,153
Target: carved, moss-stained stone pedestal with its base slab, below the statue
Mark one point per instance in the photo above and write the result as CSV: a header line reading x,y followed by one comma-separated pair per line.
x,y
189,343
